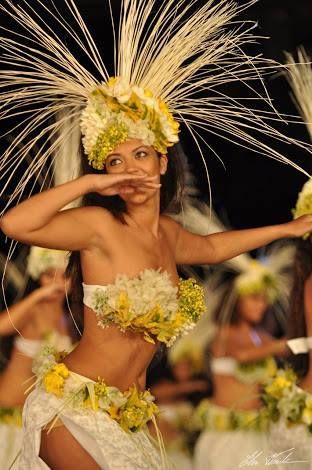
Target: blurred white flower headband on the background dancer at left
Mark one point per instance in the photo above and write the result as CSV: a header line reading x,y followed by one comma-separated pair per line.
x,y
42,259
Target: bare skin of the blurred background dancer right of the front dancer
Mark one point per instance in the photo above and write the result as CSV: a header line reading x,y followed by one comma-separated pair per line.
x,y
236,341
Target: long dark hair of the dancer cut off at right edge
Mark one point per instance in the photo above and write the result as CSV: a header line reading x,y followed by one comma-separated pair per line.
x,y
297,325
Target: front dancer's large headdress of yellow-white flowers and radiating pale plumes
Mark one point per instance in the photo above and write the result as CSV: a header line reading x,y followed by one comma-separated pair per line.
x,y
172,61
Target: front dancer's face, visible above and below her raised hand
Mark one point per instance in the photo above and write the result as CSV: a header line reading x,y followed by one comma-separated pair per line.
x,y
134,157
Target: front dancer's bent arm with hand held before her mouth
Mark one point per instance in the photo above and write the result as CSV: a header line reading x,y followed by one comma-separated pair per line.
x,y
40,221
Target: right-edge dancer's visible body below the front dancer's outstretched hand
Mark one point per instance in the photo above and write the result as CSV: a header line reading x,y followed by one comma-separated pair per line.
x,y
287,397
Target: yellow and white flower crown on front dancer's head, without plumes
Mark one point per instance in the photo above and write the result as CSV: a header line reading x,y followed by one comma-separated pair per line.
x,y
116,112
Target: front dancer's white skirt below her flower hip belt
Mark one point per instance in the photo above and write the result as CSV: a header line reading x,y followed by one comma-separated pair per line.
x,y
110,446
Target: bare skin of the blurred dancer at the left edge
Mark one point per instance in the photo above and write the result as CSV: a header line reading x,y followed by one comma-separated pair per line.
x,y
34,316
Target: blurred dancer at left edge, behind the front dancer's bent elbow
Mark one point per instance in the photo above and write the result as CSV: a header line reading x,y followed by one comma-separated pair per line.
x,y
39,318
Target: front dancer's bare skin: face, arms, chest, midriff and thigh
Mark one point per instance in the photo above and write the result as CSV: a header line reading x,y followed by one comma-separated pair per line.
x,y
109,247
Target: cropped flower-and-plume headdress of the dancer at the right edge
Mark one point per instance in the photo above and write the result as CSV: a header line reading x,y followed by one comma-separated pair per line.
x,y
300,79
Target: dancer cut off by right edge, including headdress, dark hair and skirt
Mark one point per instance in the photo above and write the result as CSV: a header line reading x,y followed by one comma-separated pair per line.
x,y
288,398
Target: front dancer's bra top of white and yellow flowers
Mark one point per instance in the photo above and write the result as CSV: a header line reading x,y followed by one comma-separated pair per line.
x,y
148,303
